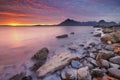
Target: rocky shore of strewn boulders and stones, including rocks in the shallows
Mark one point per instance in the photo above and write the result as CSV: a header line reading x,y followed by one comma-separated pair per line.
x,y
96,59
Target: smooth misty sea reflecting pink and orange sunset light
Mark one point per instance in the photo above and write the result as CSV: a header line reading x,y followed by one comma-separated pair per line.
x,y
18,44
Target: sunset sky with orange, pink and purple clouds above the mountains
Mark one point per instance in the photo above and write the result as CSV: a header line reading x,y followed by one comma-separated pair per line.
x,y
55,11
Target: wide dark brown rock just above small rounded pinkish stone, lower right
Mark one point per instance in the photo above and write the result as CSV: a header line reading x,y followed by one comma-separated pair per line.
x,y
104,55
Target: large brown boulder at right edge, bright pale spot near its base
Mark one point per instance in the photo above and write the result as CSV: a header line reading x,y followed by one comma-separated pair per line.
x,y
111,38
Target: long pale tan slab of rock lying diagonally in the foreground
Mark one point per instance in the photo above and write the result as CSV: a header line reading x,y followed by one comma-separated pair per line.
x,y
57,62
